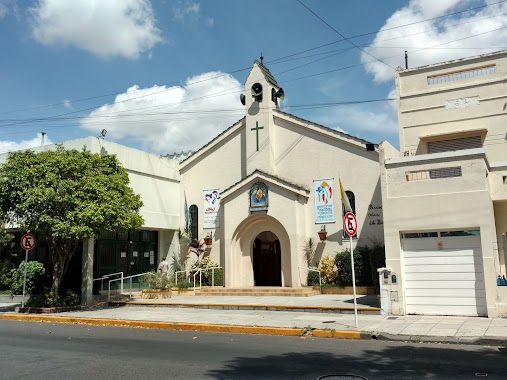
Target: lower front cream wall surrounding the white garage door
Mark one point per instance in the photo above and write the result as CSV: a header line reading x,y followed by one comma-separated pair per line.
x,y
437,204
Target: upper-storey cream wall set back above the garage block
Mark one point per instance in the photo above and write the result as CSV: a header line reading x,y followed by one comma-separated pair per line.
x,y
458,106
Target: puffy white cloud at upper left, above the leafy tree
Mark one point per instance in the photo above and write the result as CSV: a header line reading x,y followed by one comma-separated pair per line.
x,y
106,28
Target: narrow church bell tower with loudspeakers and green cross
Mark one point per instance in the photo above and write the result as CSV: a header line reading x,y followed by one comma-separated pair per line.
x,y
262,96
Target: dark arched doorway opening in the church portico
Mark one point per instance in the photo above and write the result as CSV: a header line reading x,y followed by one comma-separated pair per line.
x,y
267,260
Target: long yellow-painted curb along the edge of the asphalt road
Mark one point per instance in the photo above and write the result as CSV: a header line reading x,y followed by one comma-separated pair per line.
x,y
286,331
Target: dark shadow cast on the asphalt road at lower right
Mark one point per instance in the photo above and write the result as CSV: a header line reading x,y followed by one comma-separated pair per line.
x,y
388,362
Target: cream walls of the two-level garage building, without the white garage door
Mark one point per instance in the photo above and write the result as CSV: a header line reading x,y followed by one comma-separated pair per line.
x,y
466,105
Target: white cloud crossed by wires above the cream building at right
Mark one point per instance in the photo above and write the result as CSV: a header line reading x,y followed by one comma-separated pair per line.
x,y
389,45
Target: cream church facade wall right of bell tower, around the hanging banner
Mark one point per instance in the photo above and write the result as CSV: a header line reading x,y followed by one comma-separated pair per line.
x,y
303,155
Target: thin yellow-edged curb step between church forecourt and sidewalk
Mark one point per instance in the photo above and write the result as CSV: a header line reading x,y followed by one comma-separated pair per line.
x,y
229,306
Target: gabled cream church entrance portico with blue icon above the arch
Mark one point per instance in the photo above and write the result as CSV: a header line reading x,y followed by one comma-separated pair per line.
x,y
257,248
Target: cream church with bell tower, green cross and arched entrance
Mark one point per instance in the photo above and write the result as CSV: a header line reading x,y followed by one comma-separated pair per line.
x,y
270,182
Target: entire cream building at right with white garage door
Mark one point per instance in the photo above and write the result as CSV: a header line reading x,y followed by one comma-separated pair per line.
x,y
444,194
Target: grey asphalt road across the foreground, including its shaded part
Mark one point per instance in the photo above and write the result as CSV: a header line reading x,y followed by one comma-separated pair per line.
x,y
63,351
